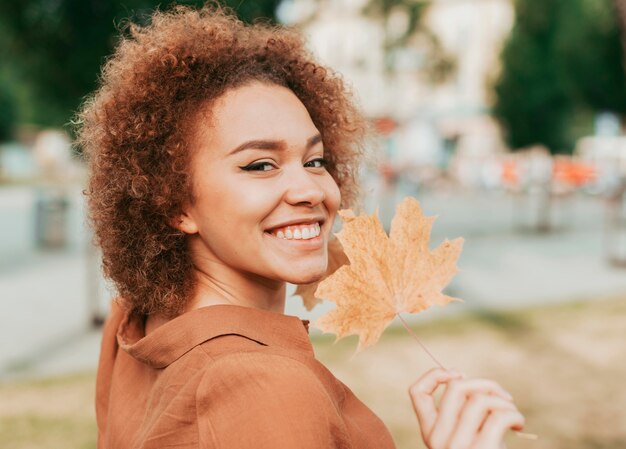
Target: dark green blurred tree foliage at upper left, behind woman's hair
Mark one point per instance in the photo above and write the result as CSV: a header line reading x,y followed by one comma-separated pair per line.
x,y
58,46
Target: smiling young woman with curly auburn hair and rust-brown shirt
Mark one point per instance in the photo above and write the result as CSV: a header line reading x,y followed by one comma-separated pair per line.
x,y
219,156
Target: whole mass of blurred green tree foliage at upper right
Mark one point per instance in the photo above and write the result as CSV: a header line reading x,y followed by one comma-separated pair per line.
x,y
562,56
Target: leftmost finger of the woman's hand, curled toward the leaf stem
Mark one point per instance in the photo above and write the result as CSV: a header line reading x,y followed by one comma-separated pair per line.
x,y
421,393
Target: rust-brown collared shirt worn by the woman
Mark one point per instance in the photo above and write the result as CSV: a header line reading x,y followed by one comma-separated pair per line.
x,y
226,377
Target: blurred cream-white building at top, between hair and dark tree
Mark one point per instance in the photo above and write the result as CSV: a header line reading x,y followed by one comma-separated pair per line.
x,y
439,125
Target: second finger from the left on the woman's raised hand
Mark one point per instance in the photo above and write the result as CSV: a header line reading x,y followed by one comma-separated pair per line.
x,y
453,401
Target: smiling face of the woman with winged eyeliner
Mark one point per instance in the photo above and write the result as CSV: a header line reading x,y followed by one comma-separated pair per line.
x,y
264,203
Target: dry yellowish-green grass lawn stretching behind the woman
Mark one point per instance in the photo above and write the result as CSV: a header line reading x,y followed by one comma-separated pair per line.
x,y
564,365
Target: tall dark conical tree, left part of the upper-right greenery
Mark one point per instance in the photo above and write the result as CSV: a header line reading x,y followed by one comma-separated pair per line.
x,y
532,100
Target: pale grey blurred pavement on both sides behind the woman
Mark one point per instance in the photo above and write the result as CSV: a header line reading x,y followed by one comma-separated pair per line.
x,y
46,304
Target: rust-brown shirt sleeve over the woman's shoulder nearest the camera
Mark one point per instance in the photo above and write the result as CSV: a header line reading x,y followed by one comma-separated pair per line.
x,y
285,400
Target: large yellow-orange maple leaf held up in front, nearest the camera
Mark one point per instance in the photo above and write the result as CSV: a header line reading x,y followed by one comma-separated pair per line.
x,y
386,275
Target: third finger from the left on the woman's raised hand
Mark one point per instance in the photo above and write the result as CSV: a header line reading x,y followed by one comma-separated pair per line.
x,y
473,415
